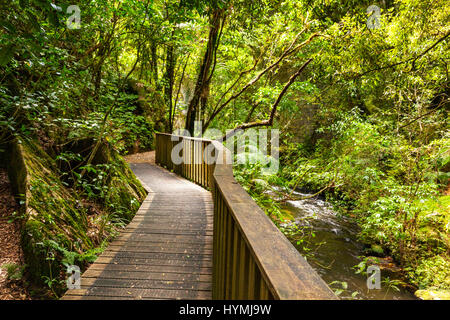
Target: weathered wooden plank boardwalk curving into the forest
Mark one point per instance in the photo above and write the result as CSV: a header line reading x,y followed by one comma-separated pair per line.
x,y
166,250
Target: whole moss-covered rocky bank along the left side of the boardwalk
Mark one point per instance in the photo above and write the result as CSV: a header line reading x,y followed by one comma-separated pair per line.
x,y
58,228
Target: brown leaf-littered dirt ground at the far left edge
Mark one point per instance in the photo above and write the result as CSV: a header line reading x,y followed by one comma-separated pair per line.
x,y
10,249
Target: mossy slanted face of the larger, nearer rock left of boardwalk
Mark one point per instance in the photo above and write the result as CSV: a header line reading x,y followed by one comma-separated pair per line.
x,y
52,213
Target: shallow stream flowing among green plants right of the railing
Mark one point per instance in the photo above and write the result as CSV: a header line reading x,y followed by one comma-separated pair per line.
x,y
334,251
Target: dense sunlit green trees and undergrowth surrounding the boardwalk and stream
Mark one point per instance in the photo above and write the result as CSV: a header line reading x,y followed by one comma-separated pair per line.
x,y
363,112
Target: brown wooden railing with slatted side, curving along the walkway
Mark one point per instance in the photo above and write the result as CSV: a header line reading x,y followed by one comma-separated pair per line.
x,y
252,259
